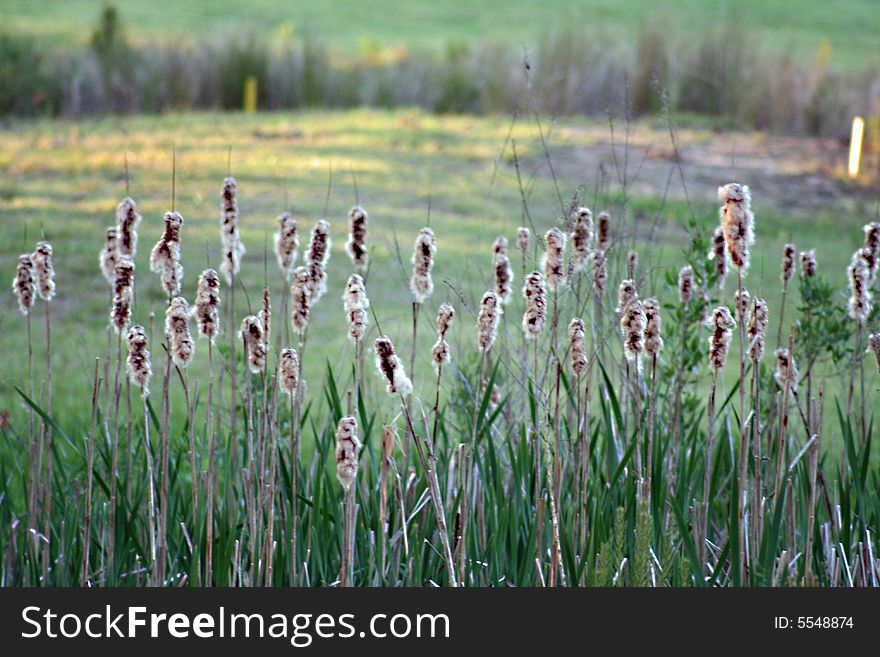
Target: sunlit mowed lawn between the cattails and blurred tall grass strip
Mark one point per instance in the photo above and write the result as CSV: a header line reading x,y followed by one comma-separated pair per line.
x,y
66,178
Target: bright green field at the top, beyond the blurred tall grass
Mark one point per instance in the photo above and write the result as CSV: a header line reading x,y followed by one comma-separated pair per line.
x,y
850,28
